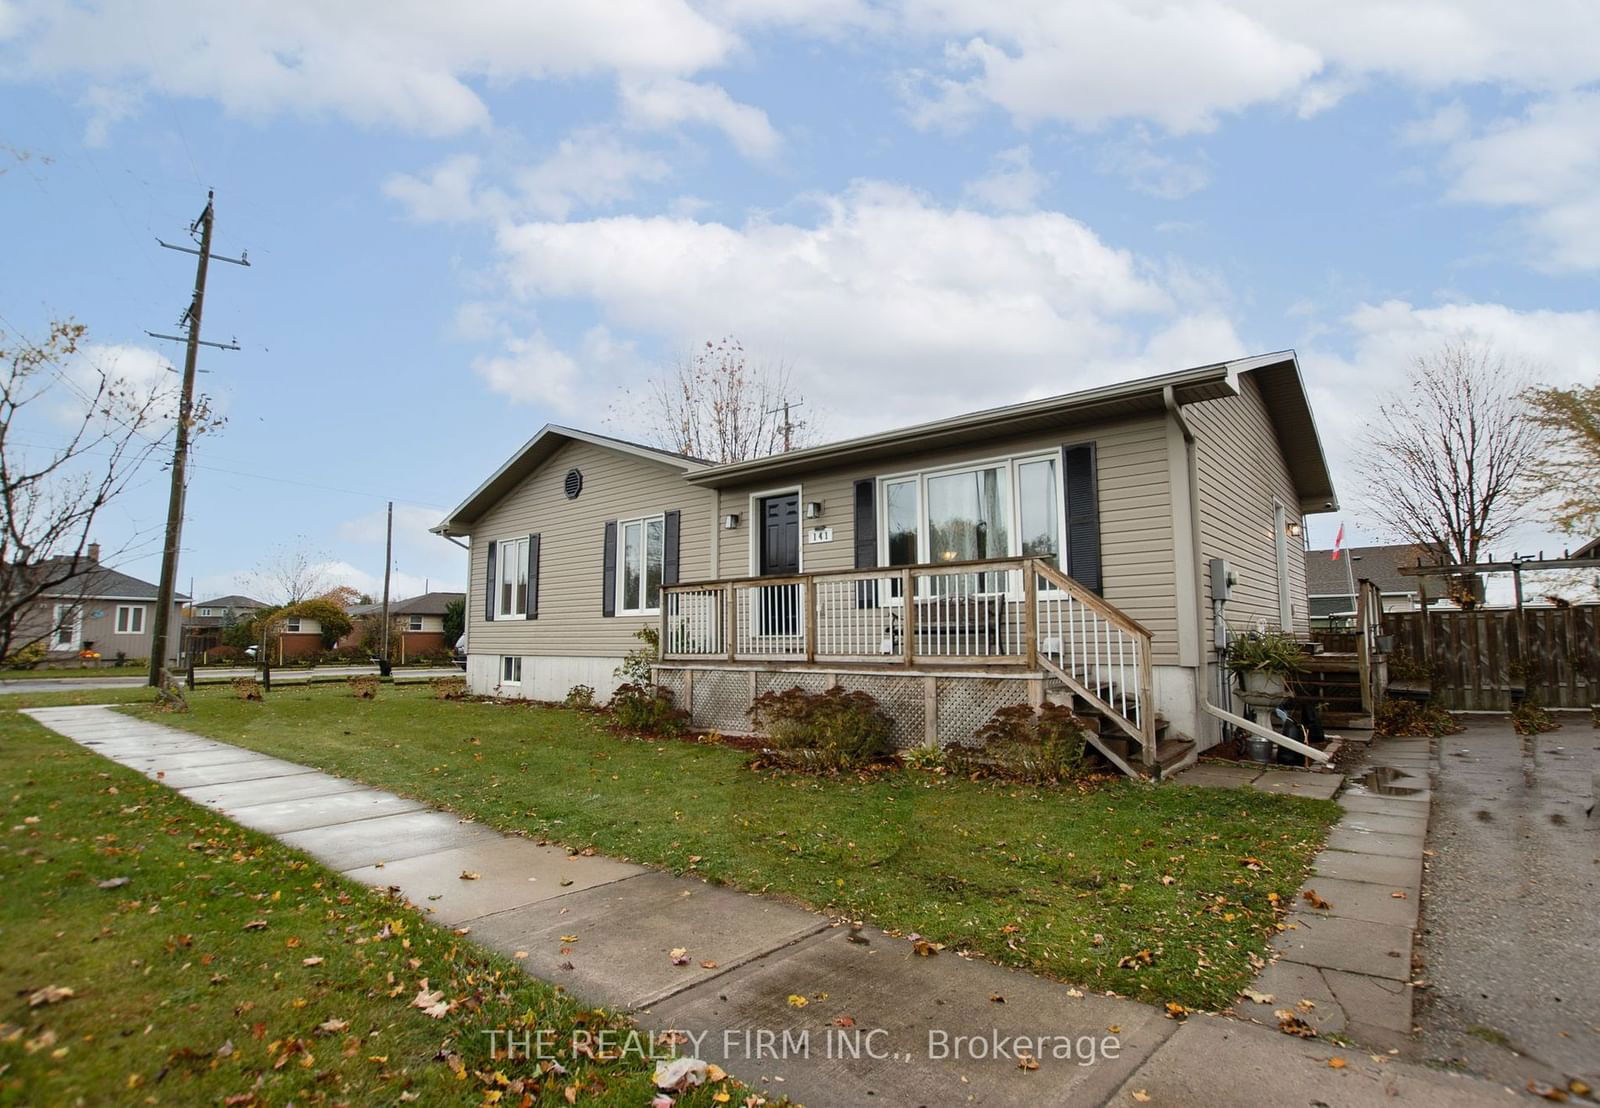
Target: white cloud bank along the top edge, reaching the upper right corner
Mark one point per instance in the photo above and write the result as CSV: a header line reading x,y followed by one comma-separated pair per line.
x,y
1183,63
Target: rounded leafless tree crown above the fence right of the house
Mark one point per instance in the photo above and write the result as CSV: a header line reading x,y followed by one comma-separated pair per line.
x,y
1449,457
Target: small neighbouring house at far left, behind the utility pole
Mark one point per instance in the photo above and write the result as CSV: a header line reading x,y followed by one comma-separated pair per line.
x,y
103,611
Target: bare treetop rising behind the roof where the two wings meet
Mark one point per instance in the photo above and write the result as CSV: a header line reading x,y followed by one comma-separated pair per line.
x,y
713,404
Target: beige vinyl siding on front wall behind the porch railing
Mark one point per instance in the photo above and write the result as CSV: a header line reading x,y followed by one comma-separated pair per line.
x,y
1135,502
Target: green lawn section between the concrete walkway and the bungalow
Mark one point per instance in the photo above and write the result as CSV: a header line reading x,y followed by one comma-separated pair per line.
x,y
1161,894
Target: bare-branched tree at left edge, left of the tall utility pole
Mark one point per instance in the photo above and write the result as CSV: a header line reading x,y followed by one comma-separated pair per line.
x,y
52,496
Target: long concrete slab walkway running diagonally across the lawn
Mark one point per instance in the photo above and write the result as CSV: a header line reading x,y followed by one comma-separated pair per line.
x,y
879,1024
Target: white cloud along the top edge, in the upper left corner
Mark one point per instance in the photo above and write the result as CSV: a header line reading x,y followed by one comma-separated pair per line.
x,y
410,65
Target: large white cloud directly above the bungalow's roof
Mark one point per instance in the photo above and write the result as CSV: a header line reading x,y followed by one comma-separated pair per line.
x,y
927,310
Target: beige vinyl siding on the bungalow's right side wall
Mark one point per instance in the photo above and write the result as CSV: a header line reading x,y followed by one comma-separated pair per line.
x,y
1241,473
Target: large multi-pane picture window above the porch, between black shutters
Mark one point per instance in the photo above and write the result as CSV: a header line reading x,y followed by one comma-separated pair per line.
x,y
1002,508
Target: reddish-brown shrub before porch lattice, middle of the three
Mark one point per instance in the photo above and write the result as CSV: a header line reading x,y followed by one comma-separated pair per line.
x,y
830,731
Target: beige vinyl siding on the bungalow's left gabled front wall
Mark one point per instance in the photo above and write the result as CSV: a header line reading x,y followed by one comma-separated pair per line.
x,y
572,550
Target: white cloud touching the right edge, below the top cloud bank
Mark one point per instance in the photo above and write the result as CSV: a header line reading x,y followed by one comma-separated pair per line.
x,y
1545,163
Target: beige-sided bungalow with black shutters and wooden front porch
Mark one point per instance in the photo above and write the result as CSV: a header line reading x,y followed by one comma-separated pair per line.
x,y
1052,547
